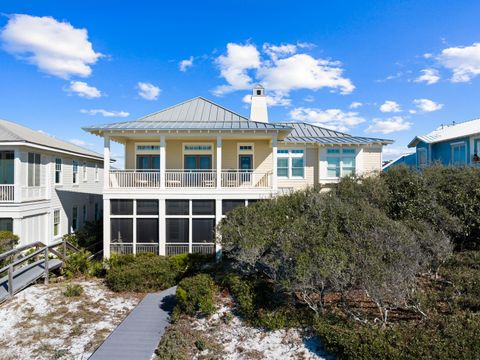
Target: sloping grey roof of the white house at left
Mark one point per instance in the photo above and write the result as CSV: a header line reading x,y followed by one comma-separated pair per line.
x,y
12,132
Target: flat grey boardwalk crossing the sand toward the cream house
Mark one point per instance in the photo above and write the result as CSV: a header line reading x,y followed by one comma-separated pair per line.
x,y
137,337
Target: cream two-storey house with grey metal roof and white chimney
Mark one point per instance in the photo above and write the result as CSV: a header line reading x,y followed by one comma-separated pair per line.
x,y
188,165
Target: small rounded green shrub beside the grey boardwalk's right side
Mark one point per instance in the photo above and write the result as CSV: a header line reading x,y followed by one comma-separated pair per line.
x,y
195,295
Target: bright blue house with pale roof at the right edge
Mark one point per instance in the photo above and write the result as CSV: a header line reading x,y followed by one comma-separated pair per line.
x,y
457,144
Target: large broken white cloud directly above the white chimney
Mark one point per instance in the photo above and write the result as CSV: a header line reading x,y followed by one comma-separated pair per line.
x,y
281,69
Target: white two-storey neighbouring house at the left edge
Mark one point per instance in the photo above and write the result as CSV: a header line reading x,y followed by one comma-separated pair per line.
x,y
48,187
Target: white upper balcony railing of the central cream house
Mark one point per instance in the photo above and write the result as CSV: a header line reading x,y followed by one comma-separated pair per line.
x,y
190,179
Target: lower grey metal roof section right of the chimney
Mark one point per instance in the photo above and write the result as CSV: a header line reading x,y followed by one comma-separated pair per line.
x,y
307,133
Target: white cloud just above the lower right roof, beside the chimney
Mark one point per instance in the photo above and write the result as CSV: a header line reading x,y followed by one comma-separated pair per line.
x,y
334,119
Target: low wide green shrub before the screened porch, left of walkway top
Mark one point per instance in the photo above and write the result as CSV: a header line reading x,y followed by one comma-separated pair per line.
x,y
142,273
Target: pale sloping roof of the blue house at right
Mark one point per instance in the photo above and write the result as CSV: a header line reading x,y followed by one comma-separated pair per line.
x,y
448,132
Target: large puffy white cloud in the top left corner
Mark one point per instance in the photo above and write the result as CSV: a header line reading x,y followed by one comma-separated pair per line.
x,y
56,48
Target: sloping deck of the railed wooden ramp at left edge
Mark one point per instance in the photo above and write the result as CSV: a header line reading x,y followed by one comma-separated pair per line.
x,y
25,276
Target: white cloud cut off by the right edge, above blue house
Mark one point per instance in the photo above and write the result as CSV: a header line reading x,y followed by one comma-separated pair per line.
x,y
463,61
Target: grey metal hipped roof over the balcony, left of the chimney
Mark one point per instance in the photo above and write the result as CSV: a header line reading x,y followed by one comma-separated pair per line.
x,y
195,114
